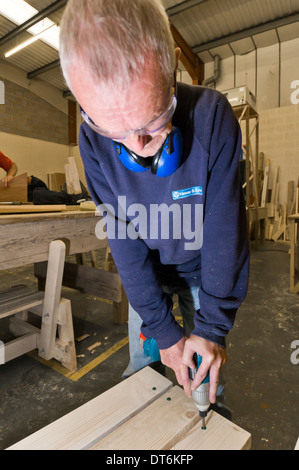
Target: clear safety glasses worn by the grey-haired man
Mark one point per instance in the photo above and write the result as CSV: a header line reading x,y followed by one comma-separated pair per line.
x,y
151,128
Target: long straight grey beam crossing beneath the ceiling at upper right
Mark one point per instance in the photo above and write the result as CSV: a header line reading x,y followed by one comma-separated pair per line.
x,y
246,33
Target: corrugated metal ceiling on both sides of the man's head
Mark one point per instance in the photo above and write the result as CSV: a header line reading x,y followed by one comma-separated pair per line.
x,y
225,27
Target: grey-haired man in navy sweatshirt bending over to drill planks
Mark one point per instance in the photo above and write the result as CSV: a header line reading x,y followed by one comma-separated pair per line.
x,y
146,143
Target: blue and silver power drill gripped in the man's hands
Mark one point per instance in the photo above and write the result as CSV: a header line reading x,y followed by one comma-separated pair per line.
x,y
201,394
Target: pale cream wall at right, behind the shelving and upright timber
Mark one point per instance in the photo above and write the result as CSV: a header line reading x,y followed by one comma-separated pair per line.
x,y
272,74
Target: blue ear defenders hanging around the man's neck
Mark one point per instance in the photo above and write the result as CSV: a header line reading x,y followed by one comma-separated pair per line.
x,y
166,161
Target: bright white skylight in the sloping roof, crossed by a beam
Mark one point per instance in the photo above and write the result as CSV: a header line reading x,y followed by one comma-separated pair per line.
x,y
19,11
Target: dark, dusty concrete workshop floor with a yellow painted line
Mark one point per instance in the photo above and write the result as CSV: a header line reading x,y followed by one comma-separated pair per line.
x,y
262,382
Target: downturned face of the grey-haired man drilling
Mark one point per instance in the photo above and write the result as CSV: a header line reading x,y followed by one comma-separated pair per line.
x,y
145,100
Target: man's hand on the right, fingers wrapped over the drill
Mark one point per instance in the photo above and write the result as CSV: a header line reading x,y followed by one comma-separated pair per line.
x,y
213,358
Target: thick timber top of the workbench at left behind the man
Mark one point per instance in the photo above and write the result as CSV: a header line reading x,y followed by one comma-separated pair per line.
x,y
25,237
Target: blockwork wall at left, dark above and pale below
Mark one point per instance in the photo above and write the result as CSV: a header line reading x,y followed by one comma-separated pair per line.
x,y
37,138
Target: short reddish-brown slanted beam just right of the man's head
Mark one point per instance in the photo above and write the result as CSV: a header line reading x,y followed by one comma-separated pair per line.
x,y
190,60
